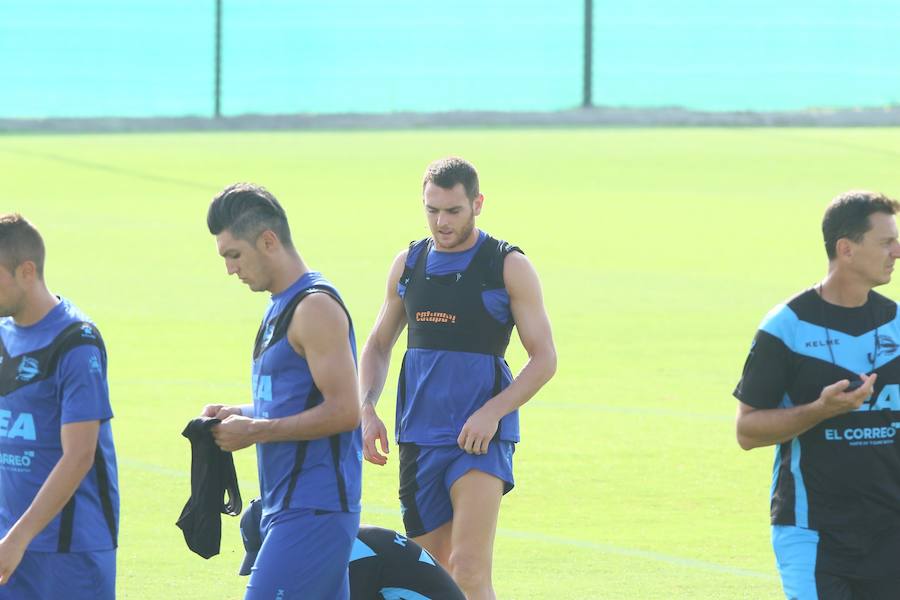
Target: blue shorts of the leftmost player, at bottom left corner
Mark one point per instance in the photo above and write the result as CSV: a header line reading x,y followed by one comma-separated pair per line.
x,y
69,575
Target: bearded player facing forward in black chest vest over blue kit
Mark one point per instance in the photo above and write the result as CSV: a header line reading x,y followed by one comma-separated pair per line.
x,y
460,292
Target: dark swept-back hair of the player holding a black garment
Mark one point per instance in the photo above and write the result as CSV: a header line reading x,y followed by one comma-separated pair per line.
x,y
246,210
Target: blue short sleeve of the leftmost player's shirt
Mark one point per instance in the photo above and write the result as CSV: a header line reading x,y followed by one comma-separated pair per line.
x,y
83,391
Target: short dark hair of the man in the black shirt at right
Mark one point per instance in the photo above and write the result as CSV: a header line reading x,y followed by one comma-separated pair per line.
x,y
847,216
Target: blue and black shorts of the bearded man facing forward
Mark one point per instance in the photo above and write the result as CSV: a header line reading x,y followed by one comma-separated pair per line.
x,y
427,472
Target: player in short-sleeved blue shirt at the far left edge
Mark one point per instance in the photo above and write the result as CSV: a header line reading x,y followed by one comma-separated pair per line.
x,y
59,497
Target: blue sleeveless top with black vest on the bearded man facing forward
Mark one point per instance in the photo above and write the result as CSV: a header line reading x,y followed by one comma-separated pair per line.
x,y
459,325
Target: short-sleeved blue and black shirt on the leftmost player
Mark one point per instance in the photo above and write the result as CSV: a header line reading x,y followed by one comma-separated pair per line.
x,y
53,373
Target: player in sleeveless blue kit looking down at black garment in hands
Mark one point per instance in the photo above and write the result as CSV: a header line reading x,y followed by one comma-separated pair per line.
x,y
304,418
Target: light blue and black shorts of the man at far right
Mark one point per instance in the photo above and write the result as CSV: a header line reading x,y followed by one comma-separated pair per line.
x,y
816,565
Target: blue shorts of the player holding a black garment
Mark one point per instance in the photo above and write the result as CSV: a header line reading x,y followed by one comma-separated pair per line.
x,y
304,555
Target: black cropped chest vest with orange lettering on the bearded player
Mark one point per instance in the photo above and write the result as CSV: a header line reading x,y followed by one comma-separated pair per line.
x,y
447,312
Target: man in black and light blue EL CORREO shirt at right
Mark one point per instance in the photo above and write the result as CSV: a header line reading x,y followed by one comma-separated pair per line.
x,y
822,384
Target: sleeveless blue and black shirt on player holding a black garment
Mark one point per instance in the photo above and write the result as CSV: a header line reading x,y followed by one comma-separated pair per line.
x,y
324,473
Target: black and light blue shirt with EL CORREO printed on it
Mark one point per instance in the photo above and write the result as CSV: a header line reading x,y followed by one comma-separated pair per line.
x,y
844,473
